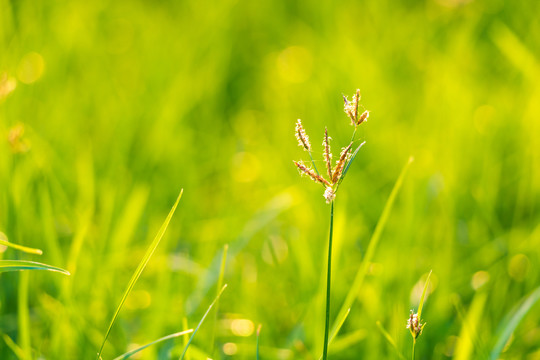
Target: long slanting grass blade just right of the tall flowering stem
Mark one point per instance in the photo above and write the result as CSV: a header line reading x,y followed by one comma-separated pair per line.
x,y
370,252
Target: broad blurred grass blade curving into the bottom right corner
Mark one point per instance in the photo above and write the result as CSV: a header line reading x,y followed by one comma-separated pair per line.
x,y
512,320
